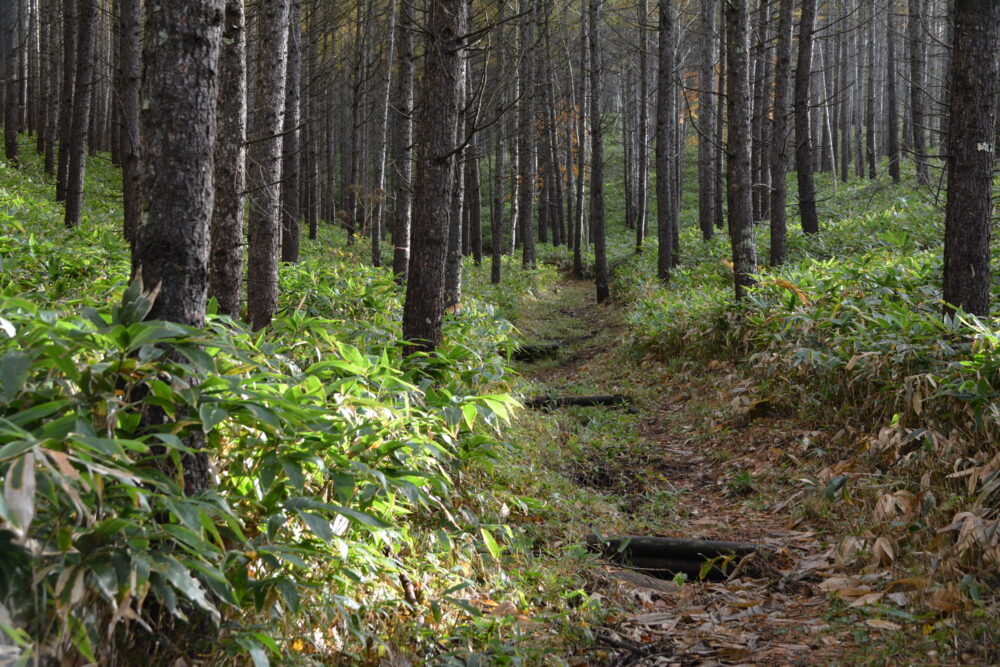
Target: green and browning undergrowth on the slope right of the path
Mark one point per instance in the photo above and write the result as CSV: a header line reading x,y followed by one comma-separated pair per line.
x,y
849,337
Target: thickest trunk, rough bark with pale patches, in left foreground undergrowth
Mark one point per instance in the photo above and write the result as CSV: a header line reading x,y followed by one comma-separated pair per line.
x,y
178,126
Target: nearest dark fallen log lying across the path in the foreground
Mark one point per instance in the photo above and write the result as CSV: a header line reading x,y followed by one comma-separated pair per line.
x,y
666,557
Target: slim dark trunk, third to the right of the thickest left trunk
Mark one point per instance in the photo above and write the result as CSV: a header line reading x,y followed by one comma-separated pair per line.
x,y
290,161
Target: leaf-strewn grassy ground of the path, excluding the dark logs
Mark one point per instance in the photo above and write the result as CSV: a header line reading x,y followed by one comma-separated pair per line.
x,y
698,455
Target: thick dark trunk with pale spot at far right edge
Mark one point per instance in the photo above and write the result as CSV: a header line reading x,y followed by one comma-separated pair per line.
x,y
970,162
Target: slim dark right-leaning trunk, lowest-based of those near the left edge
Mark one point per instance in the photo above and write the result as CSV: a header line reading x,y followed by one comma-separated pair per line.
x,y
81,112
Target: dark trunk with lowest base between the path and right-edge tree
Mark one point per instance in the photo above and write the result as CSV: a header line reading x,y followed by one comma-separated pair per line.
x,y
738,168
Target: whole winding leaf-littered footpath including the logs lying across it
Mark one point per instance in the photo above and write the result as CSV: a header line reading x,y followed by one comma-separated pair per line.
x,y
692,481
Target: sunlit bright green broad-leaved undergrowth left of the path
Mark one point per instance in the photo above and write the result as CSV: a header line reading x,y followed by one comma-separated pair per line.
x,y
352,514
